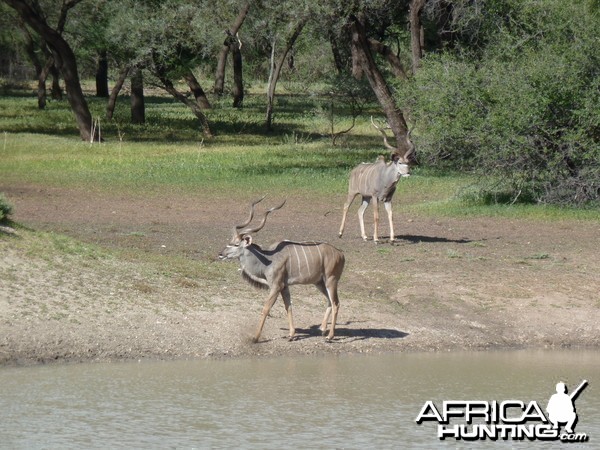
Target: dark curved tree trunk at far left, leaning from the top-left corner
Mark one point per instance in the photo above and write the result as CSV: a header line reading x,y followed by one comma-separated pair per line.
x,y
65,61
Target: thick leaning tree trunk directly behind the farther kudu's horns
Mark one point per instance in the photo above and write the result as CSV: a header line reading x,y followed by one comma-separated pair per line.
x,y
366,62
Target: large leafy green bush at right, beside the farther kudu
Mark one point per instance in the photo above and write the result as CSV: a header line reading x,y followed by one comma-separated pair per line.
x,y
524,111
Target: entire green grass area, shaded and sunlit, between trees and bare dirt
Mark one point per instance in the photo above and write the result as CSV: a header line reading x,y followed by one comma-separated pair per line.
x,y
169,152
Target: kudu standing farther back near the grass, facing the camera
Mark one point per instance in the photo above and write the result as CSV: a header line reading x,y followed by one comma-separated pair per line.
x,y
377,181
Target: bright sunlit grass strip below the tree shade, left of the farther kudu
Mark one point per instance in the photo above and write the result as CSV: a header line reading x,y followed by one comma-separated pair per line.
x,y
187,166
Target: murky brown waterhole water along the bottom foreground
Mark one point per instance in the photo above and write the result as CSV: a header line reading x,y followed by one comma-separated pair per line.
x,y
324,402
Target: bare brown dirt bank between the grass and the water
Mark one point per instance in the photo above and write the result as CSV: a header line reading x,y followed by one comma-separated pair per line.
x,y
446,284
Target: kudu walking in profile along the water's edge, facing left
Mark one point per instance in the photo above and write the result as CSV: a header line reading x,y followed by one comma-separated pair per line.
x,y
284,264
